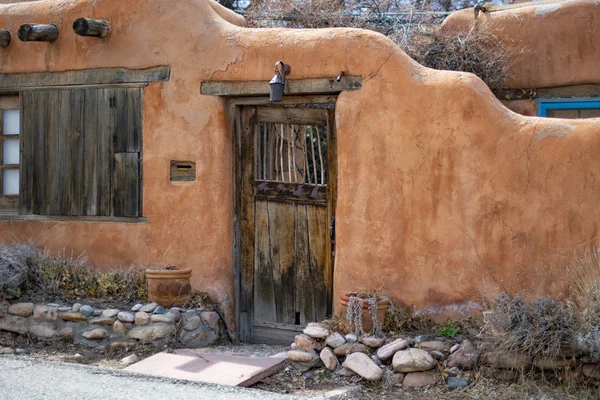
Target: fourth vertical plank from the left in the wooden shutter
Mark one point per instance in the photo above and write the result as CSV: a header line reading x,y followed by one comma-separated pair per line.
x,y
76,164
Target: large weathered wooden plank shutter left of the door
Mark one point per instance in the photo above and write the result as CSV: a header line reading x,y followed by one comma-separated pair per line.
x,y
70,161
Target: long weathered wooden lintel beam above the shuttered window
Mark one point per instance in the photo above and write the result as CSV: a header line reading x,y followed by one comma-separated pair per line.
x,y
100,76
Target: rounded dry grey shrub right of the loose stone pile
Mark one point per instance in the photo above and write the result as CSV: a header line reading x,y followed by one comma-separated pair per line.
x,y
543,328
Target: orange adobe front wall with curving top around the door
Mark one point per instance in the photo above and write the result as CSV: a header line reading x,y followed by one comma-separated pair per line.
x,y
444,196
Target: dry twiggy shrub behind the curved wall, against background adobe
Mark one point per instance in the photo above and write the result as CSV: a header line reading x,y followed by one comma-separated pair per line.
x,y
477,51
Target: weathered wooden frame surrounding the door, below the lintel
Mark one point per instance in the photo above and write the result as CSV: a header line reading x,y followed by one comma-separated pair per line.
x,y
243,277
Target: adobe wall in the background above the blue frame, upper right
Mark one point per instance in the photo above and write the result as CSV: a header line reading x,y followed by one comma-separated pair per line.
x,y
557,41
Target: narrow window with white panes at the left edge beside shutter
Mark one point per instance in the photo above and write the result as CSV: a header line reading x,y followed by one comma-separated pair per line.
x,y
10,150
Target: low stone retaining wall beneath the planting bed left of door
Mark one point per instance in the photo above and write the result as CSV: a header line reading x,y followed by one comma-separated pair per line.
x,y
87,326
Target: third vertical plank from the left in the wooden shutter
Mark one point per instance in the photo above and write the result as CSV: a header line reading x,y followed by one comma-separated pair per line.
x,y
65,176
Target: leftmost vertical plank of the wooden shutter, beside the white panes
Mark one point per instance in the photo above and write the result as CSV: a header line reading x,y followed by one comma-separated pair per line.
x,y
27,109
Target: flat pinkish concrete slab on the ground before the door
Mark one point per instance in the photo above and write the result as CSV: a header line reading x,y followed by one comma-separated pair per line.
x,y
222,368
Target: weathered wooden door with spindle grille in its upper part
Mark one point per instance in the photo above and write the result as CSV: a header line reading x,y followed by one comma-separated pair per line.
x,y
287,203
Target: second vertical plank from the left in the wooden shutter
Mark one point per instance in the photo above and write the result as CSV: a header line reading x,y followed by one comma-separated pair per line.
x,y
40,132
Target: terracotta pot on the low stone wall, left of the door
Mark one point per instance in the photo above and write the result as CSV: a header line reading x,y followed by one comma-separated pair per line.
x,y
169,287
